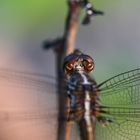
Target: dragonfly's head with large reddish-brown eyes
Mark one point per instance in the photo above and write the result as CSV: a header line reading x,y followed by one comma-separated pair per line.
x,y
78,62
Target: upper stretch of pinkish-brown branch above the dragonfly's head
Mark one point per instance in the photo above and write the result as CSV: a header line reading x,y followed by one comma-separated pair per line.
x,y
71,28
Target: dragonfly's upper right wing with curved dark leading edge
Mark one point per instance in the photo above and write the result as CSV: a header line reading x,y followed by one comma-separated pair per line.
x,y
123,89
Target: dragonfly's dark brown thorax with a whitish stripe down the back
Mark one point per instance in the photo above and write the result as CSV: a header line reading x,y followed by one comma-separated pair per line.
x,y
82,94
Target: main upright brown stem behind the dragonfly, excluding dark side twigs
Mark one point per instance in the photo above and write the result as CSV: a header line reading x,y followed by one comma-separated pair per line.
x,y
64,127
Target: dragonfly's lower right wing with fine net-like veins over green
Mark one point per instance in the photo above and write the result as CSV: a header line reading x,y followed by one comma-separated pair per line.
x,y
125,124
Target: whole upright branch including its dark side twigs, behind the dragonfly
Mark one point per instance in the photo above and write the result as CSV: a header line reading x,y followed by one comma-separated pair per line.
x,y
64,46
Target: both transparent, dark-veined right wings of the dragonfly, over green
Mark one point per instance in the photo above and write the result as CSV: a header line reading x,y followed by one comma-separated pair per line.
x,y
120,100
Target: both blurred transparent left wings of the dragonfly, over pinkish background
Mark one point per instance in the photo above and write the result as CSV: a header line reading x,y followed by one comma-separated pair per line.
x,y
28,106
